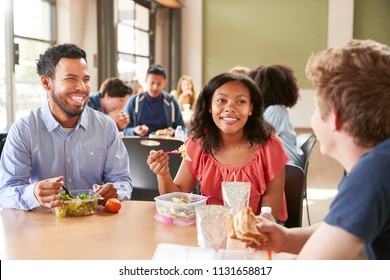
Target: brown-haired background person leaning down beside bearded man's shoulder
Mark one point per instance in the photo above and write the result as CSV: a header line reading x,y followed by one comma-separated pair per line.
x,y
111,100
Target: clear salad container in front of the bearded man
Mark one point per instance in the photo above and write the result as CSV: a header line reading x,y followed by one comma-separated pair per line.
x,y
82,203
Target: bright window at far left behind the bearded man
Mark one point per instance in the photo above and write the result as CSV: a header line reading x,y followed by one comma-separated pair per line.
x,y
20,89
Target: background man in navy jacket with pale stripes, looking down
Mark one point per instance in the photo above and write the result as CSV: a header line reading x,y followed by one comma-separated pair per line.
x,y
153,110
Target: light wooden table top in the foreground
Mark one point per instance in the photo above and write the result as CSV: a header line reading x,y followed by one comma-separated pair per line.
x,y
133,233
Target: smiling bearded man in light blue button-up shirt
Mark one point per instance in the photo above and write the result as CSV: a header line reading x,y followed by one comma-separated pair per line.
x,y
63,142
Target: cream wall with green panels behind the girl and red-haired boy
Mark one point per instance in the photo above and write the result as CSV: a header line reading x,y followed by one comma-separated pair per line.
x,y
255,32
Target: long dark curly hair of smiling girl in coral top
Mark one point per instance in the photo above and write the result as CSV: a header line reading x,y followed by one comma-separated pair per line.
x,y
256,130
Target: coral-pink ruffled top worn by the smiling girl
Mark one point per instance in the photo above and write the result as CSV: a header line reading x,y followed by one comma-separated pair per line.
x,y
265,165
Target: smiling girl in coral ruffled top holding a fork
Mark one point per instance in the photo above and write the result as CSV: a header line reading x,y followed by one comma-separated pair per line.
x,y
229,139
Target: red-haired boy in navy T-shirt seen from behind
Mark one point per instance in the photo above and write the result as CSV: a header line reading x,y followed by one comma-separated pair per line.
x,y
352,124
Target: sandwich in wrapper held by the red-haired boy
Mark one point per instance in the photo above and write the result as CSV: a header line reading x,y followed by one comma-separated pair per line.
x,y
243,227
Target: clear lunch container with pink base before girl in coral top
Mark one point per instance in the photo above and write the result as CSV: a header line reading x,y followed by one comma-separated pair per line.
x,y
178,207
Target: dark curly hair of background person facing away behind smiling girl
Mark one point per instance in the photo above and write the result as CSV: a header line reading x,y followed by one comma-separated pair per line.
x,y
277,84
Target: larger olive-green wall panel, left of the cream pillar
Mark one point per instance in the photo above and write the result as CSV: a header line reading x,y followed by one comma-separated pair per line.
x,y
255,32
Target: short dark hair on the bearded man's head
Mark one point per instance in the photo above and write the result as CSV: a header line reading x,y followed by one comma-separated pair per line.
x,y
47,61
